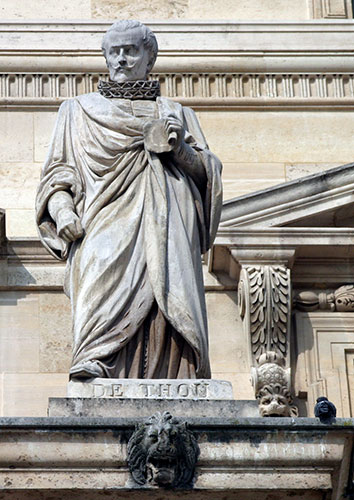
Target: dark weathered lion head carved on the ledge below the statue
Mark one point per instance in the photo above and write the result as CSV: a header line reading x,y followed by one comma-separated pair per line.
x,y
162,452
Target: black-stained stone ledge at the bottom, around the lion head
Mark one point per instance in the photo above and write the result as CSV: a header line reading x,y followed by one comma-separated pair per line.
x,y
265,458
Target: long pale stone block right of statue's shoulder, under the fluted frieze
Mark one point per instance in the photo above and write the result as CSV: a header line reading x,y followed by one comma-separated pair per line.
x,y
273,137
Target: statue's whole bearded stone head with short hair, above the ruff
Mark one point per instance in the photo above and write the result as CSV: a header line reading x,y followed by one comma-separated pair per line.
x,y
130,49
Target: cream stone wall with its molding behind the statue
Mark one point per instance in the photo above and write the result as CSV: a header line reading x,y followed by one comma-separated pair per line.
x,y
275,100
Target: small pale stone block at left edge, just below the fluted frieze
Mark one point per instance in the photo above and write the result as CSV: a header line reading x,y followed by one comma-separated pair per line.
x,y
16,132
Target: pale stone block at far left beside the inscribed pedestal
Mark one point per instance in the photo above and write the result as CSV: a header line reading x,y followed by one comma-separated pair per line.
x,y
26,394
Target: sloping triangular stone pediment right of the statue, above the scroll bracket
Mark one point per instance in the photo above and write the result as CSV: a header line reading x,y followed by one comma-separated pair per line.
x,y
325,199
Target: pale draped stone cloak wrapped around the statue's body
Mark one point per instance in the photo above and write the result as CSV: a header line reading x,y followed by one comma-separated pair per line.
x,y
145,221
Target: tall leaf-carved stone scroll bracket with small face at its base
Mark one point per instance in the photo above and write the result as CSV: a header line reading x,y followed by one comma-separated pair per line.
x,y
265,307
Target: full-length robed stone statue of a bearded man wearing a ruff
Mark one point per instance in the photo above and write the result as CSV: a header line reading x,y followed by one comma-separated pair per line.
x,y
130,195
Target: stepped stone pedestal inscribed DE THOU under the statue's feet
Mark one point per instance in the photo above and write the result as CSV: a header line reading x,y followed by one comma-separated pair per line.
x,y
135,398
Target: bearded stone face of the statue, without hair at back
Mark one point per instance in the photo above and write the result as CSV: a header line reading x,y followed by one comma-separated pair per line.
x,y
127,59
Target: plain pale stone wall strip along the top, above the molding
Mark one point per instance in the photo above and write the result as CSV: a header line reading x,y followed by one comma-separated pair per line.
x,y
164,9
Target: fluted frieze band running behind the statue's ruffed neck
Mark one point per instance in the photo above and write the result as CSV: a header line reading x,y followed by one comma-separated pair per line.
x,y
214,89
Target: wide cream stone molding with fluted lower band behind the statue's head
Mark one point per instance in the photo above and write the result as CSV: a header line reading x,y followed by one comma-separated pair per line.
x,y
235,65
